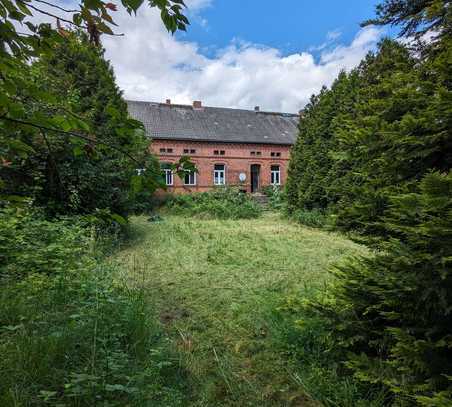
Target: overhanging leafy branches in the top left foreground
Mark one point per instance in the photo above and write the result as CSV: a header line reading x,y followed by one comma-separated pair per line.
x,y
17,47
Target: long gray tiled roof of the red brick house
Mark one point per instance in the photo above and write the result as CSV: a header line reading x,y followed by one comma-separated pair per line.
x,y
181,122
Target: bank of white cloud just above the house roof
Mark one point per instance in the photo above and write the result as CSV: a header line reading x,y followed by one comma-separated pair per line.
x,y
152,65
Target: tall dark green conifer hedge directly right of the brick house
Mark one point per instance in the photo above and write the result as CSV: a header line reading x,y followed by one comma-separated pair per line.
x,y
375,133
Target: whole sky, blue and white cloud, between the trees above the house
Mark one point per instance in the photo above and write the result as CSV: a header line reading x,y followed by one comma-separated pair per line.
x,y
241,53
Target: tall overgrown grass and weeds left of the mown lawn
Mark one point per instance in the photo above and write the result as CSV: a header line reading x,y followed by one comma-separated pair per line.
x,y
70,332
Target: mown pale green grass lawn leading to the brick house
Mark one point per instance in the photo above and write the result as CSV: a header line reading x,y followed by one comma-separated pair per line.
x,y
214,285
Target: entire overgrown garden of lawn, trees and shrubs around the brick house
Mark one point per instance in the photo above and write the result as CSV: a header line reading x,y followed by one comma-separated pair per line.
x,y
78,325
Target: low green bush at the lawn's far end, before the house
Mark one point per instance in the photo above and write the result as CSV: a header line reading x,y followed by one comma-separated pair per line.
x,y
220,203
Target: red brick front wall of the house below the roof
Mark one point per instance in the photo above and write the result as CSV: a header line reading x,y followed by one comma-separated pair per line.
x,y
237,158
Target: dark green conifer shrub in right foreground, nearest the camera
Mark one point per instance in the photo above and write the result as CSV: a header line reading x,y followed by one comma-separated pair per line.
x,y
391,313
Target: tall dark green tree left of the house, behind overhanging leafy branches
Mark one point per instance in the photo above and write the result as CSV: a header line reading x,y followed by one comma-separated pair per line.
x,y
66,174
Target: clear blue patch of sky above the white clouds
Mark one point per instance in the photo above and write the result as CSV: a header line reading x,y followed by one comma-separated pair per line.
x,y
288,25
